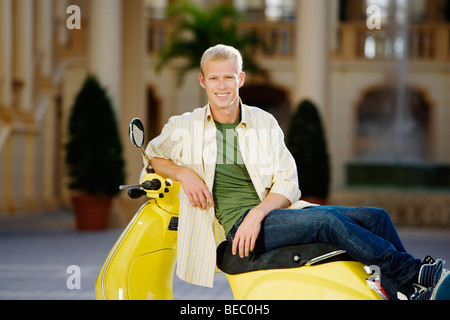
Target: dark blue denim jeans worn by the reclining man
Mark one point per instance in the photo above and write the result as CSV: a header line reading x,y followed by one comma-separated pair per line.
x,y
367,234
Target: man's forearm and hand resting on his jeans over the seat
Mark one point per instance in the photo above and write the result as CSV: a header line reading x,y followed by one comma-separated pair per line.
x,y
250,228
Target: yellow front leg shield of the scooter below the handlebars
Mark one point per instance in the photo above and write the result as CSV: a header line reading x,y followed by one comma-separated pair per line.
x,y
142,262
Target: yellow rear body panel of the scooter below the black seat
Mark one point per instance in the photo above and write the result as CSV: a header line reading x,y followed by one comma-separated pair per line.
x,y
340,280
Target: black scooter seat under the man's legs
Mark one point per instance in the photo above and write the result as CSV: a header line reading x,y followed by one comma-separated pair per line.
x,y
282,258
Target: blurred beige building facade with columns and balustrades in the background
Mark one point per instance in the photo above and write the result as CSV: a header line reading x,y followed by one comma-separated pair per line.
x,y
378,71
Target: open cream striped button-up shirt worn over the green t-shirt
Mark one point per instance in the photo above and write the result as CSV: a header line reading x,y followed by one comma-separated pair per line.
x,y
190,140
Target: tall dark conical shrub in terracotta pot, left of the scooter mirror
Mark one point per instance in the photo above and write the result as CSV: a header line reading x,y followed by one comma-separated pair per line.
x,y
93,156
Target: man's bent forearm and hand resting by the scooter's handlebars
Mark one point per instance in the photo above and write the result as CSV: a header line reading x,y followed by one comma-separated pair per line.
x,y
194,187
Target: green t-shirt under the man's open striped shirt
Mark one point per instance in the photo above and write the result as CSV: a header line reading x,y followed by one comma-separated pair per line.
x,y
233,190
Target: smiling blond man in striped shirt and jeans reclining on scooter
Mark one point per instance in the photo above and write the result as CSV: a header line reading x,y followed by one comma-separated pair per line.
x,y
239,180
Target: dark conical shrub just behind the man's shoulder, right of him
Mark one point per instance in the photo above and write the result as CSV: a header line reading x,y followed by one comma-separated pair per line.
x,y
306,141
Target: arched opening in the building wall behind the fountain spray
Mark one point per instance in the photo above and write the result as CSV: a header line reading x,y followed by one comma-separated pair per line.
x,y
388,131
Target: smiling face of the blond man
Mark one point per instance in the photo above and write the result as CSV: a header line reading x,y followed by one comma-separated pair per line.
x,y
222,81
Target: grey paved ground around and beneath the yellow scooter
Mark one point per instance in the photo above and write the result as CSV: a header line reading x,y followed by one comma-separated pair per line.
x,y
36,251
